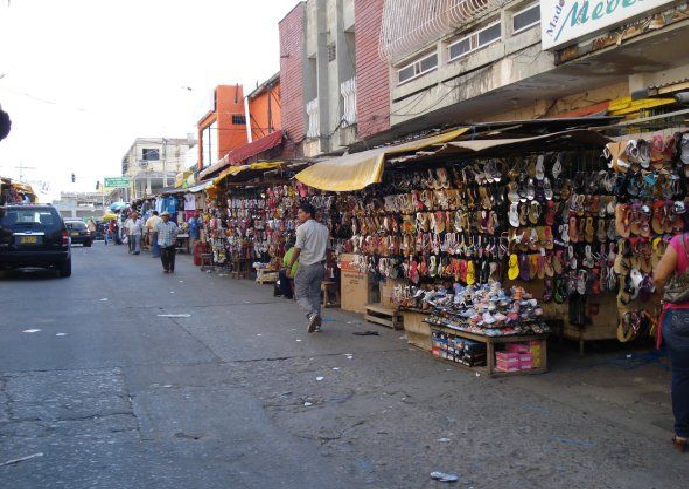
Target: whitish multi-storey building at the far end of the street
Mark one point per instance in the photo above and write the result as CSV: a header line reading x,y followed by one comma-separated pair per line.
x,y
154,163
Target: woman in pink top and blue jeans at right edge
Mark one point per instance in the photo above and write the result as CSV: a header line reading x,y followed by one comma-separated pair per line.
x,y
674,330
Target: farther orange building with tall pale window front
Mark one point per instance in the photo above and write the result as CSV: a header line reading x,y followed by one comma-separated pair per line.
x,y
223,128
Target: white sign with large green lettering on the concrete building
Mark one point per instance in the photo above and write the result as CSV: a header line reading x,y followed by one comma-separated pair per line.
x,y
563,21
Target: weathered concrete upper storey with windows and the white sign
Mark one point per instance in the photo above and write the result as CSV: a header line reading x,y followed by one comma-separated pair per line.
x,y
453,62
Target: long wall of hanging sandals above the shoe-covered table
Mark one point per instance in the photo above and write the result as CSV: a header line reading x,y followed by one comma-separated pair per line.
x,y
584,227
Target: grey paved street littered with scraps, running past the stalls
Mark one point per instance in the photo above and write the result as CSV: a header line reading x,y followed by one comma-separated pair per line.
x,y
238,395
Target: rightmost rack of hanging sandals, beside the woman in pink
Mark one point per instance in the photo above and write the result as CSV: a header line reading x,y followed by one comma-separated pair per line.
x,y
650,180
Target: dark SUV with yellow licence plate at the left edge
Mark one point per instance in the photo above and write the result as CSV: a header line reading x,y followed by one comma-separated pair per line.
x,y
34,236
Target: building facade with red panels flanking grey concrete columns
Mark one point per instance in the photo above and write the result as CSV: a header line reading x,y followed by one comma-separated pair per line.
x,y
335,89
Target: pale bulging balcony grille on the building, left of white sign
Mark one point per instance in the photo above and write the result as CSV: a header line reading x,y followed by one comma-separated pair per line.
x,y
411,25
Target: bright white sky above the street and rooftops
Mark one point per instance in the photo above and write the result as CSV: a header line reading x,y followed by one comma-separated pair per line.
x,y
84,78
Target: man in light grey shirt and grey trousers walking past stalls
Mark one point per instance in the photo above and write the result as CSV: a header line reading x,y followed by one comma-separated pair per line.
x,y
310,250
